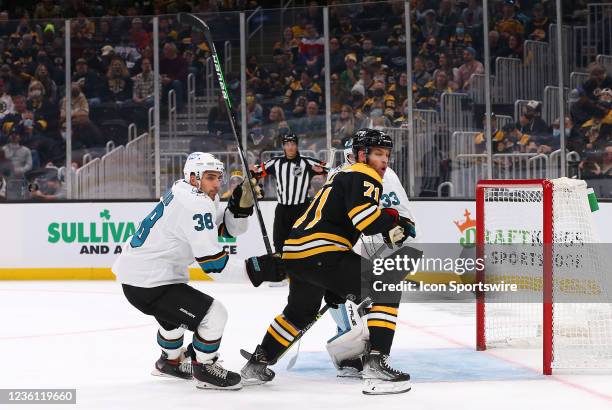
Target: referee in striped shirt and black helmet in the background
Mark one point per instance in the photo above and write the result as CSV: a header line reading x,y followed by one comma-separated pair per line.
x,y
293,174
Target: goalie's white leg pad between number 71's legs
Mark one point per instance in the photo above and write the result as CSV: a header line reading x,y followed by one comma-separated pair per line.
x,y
350,343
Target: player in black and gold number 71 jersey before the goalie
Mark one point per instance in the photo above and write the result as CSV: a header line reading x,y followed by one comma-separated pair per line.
x,y
319,261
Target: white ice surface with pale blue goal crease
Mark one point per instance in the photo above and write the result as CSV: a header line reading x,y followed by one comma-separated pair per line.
x,y
85,335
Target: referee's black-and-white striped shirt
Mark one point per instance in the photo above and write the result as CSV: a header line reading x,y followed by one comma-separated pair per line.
x,y
292,177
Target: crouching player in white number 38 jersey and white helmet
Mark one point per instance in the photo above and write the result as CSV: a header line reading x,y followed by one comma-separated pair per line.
x,y
153,270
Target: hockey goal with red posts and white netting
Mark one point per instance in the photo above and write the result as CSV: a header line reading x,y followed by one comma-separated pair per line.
x,y
557,307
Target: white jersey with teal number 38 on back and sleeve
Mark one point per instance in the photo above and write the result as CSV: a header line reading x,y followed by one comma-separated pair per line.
x,y
182,227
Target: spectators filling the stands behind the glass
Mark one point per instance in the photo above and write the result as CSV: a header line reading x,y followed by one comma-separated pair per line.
x,y
112,77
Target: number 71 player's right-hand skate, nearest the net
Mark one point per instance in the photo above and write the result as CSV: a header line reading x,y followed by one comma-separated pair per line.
x,y
380,378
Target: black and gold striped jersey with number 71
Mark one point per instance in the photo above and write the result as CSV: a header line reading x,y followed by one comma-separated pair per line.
x,y
344,208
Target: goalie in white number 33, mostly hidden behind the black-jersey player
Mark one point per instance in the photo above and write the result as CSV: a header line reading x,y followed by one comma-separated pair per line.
x,y
347,347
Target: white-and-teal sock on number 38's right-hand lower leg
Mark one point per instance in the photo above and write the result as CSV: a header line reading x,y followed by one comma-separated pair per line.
x,y
207,337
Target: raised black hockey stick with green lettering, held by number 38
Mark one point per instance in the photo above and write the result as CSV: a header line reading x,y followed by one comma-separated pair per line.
x,y
198,23
